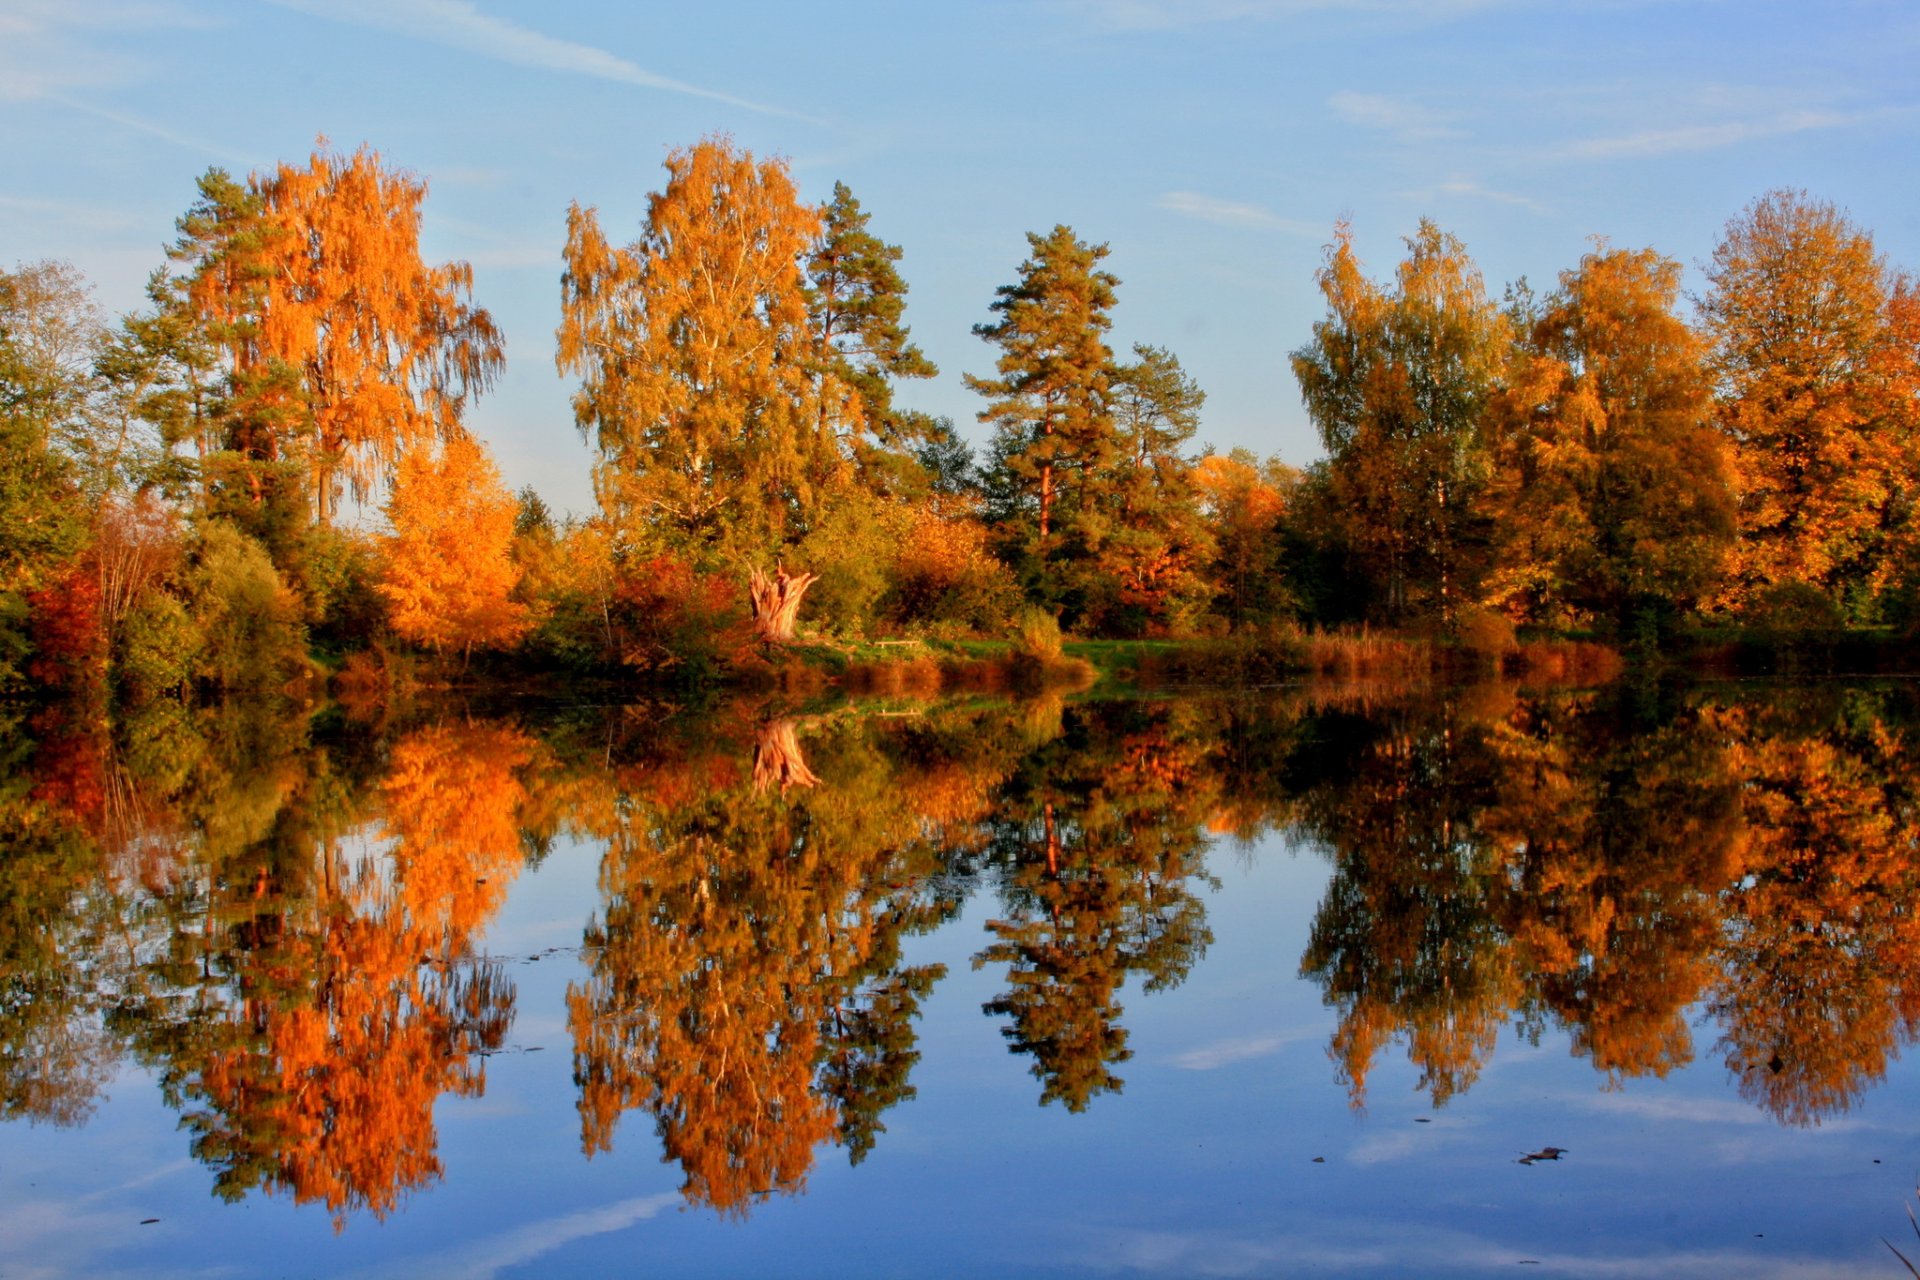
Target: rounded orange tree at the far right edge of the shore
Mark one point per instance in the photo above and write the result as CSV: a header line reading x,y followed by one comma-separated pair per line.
x,y
1812,396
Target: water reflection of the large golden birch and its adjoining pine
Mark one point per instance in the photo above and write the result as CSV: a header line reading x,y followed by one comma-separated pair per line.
x,y
748,985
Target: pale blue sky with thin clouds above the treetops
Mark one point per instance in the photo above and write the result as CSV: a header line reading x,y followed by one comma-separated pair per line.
x,y
1212,145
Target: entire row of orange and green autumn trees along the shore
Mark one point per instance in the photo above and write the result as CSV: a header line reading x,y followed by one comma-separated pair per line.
x,y
1596,458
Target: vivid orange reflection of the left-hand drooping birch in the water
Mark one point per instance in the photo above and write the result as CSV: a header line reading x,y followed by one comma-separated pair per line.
x,y
316,1003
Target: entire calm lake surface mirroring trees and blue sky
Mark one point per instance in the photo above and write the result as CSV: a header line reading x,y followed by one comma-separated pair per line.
x,y
1207,987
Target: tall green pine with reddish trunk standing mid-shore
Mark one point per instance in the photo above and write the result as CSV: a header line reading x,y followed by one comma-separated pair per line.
x,y
1049,406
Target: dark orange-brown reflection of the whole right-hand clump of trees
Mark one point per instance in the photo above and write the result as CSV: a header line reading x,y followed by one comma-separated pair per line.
x,y
1608,868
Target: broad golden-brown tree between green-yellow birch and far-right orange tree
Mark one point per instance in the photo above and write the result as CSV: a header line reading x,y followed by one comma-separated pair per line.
x,y
1614,490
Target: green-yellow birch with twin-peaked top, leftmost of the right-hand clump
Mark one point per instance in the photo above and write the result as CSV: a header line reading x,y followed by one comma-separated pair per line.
x,y
1397,381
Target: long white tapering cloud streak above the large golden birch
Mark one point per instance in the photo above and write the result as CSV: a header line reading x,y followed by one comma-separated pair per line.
x,y
458,24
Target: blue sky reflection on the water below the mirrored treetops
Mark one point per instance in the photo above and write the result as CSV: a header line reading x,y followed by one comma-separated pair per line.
x,y
1203,1168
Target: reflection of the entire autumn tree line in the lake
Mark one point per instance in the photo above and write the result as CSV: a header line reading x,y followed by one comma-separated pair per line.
x,y
281,913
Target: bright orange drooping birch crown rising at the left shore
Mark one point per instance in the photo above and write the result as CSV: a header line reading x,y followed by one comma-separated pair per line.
x,y
341,348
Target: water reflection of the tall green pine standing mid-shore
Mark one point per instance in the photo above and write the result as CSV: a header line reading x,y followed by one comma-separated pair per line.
x,y
1097,838
